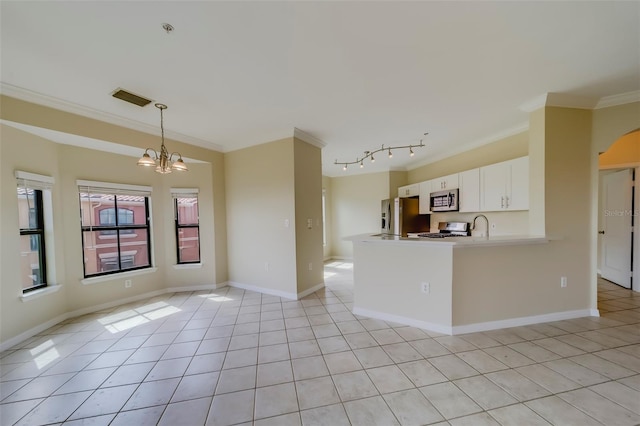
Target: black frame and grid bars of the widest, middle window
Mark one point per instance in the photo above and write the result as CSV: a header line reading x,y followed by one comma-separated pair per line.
x,y
118,230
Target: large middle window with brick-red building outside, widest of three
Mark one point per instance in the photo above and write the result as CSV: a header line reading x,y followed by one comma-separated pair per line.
x,y
116,231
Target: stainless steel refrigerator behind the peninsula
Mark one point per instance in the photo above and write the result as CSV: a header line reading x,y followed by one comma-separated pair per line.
x,y
402,215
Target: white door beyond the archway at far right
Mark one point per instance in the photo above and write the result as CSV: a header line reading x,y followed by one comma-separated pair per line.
x,y
616,240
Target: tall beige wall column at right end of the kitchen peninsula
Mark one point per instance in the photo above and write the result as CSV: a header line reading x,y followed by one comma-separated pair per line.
x,y
569,173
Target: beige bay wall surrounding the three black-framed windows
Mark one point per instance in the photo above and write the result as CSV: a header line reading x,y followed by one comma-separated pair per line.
x,y
67,164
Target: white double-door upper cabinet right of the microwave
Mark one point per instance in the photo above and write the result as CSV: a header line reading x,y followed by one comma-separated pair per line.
x,y
505,186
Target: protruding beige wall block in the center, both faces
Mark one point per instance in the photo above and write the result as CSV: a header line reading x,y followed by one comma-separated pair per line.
x,y
272,189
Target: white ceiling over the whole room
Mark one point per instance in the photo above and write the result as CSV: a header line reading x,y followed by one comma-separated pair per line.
x,y
354,75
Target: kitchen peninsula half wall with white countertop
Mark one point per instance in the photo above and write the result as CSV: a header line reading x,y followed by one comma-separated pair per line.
x,y
462,285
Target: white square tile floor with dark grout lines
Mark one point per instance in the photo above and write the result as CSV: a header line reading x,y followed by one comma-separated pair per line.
x,y
236,357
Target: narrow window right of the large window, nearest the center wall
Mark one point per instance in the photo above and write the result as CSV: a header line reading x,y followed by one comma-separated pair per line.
x,y
185,203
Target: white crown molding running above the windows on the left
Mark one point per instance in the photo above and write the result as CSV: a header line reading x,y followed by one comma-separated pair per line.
x,y
73,108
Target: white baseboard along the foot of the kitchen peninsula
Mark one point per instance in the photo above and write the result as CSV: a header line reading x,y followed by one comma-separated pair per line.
x,y
483,326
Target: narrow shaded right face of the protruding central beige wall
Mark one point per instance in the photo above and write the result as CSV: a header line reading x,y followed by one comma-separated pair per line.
x,y
308,202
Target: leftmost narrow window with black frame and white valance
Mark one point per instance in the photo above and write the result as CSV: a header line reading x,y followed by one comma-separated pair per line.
x,y
34,193
